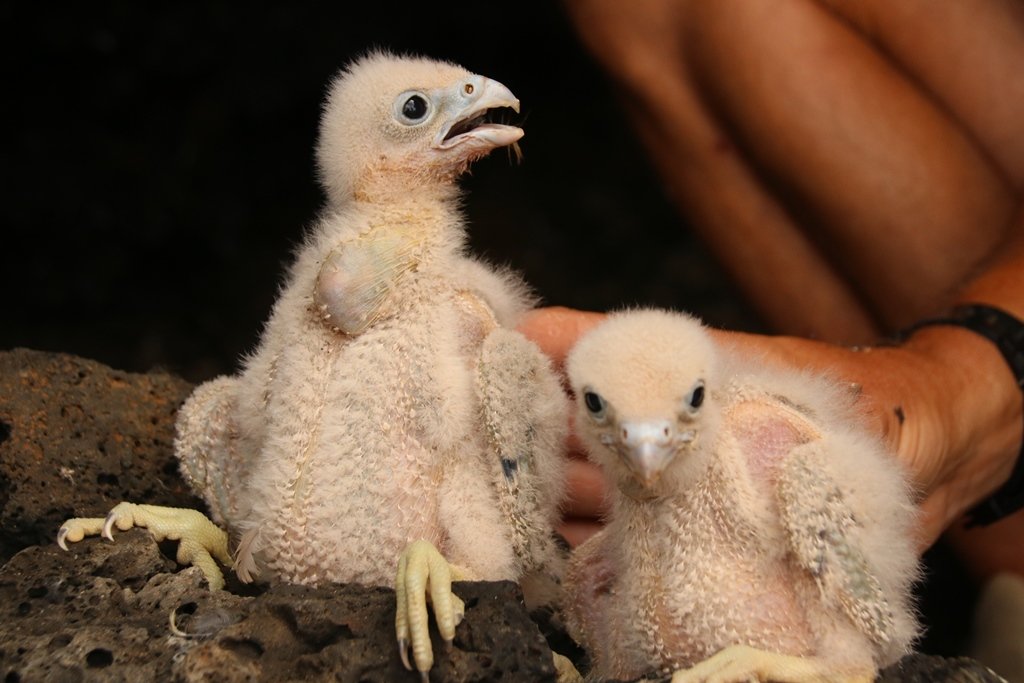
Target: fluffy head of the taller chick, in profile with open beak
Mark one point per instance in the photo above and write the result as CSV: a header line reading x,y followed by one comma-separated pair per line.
x,y
394,125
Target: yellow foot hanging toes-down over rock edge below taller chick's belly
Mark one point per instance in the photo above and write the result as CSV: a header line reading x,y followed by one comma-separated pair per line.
x,y
424,573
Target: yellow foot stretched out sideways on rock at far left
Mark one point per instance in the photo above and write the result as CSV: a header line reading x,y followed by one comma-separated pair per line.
x,y
200,541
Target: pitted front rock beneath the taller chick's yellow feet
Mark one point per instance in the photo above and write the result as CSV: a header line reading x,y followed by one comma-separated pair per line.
x,y
105,611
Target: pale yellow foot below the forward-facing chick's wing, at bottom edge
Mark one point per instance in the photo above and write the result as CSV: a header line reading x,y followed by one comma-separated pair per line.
x,y
741,664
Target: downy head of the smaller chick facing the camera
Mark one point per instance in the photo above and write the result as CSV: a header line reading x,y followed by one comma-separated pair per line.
x,y
646,389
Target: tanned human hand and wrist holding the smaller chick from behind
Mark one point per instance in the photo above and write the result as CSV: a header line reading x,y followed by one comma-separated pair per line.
x,y
944,402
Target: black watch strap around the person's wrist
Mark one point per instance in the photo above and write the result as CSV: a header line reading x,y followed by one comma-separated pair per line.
x,y
1008,334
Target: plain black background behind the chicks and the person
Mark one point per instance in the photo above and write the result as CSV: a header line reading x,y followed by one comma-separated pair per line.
x,y
157,172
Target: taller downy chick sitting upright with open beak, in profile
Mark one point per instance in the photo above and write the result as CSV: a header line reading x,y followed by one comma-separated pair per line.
x,y
390,400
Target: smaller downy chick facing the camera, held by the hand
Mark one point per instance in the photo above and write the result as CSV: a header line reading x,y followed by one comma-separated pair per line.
x,y
756,532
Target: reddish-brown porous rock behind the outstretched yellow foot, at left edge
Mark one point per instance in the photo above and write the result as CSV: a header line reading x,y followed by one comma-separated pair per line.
x,y
76,439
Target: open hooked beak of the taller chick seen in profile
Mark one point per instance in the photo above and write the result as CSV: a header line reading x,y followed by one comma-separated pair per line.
x,y
471,125
